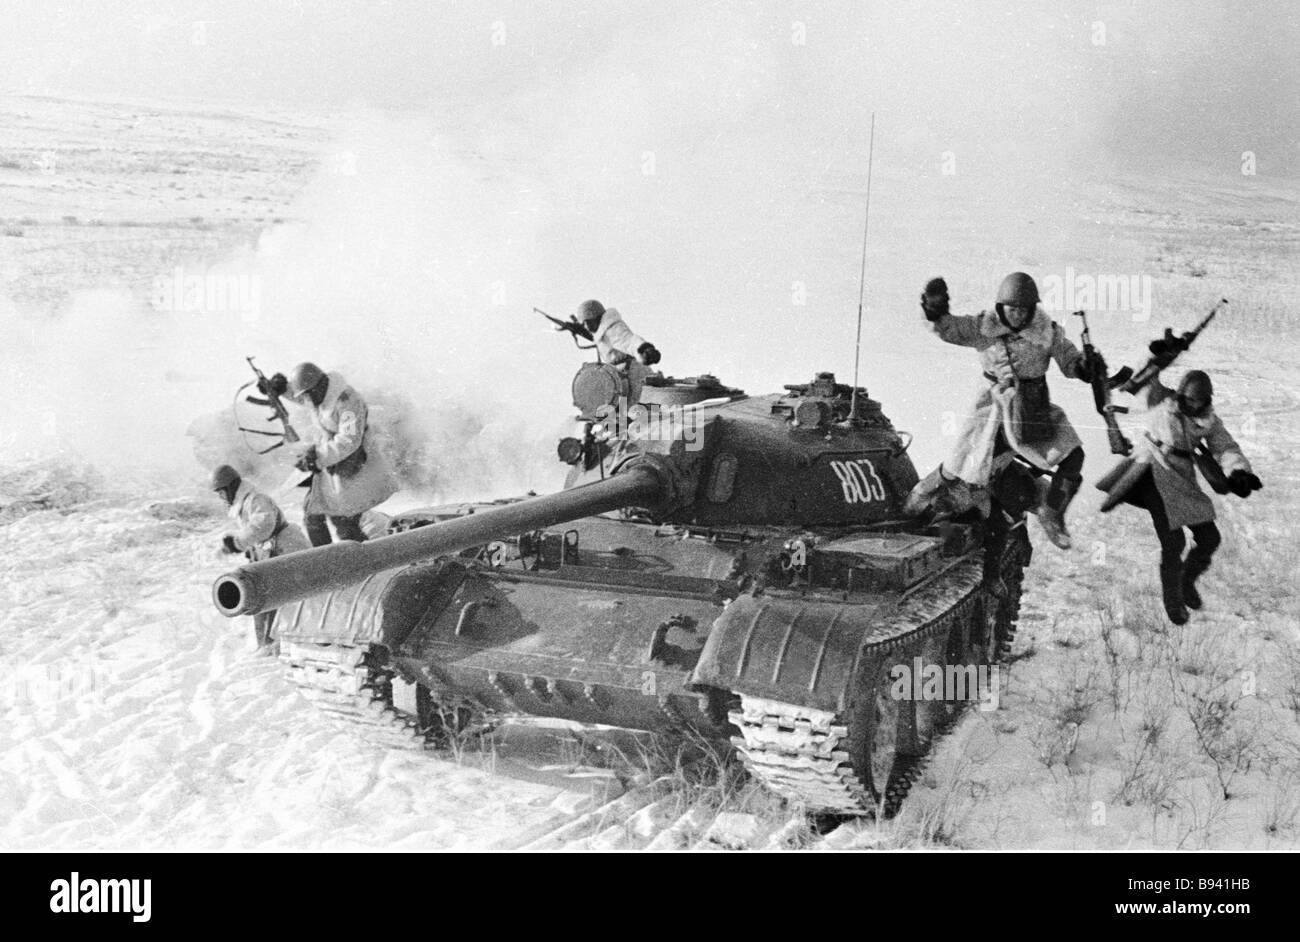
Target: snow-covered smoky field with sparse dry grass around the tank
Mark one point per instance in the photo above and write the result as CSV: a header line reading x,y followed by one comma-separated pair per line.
x,y
409,253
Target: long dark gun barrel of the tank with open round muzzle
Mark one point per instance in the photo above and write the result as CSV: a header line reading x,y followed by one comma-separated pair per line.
x,y
270,584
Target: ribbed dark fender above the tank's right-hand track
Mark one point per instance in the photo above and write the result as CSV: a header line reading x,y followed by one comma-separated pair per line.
x,y
796,650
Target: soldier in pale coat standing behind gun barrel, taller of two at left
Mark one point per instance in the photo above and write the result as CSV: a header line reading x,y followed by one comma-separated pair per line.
x,y
349,474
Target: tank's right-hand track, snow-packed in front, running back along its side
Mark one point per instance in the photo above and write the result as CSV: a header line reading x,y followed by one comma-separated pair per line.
x,y
821,761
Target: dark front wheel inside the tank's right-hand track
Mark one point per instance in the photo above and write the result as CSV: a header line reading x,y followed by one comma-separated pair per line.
x,y
885,743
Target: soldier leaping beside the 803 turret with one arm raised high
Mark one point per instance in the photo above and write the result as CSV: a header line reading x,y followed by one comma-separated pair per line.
x,y
1017,341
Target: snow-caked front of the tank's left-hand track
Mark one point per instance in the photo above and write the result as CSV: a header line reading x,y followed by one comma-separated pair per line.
x,y
345,683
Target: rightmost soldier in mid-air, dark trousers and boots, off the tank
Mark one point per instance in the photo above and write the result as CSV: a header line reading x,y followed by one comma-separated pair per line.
x,y
1160,479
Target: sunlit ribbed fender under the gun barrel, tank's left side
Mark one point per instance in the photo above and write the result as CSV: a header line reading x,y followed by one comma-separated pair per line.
x,y
384,609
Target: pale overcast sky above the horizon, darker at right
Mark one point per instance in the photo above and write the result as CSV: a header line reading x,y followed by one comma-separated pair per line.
x,y
1194,81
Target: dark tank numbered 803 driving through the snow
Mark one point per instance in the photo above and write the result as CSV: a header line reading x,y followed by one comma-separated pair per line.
x,y
718,565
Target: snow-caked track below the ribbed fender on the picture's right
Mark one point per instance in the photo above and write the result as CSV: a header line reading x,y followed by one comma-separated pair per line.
x,y
803,754
